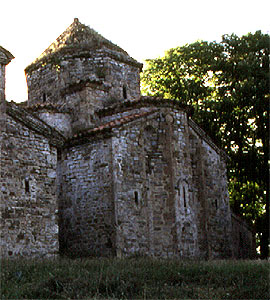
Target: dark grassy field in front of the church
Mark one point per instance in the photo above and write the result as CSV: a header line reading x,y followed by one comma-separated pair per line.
x,y
138,278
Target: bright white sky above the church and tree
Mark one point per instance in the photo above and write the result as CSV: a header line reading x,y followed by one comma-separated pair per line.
x,y
144,28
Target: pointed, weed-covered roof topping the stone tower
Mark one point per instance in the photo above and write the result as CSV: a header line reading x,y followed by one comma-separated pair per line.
x,y
79,37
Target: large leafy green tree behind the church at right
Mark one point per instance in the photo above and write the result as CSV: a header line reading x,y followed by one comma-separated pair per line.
x,y
227,83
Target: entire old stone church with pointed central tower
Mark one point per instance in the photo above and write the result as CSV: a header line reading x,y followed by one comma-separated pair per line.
x,y
89,167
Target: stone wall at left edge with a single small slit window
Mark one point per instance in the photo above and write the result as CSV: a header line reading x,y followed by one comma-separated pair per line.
x,y
29,225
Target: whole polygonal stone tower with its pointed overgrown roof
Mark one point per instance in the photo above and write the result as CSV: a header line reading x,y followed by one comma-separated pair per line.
x,y
82,71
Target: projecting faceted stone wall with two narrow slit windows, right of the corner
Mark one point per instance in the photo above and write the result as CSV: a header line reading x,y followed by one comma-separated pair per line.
x,y
170,190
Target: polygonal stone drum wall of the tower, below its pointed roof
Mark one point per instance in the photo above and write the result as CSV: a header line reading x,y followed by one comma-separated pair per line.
x,y
84,82
